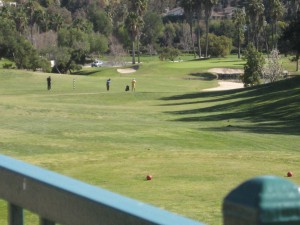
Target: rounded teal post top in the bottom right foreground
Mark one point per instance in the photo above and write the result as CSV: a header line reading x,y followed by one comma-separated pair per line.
x,y
264,200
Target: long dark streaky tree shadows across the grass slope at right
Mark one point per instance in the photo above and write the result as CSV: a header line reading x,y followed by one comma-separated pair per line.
x,y
272,108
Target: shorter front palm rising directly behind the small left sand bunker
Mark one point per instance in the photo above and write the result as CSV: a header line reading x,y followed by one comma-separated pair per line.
x,y
131,23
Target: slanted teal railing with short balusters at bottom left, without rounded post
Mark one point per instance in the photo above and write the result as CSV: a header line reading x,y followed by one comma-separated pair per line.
x,y
58,199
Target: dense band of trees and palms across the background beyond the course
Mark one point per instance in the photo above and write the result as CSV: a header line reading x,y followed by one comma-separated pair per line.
x,y
72,32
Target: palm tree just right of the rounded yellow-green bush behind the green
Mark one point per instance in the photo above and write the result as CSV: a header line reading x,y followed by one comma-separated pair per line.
x,y
239,20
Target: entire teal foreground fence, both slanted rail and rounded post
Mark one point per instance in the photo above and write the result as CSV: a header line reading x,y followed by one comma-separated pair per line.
x,y
57,199
